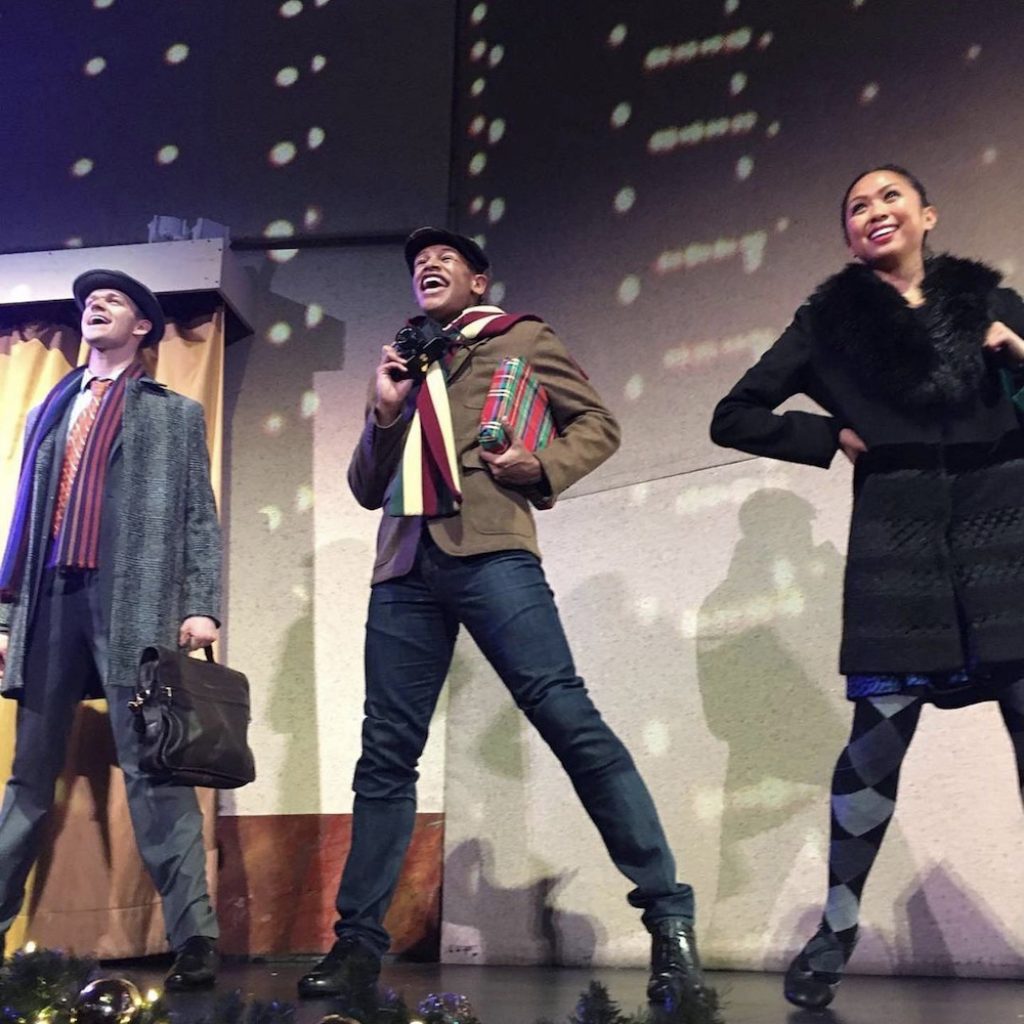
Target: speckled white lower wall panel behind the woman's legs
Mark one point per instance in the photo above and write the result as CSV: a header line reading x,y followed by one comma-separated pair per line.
x,y
704,613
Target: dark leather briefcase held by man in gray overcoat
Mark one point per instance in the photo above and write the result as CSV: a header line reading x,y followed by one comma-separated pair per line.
x,y
193,720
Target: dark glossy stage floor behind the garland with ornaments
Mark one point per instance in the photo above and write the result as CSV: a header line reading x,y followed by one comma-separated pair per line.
x,y
524,995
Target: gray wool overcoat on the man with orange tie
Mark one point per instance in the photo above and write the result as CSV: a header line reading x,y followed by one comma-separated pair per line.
x,y
160,536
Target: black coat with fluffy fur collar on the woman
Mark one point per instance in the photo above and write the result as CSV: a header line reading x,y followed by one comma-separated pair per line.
x,y
935,565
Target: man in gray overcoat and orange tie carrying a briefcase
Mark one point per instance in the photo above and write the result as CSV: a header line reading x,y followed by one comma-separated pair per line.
x,y
114,545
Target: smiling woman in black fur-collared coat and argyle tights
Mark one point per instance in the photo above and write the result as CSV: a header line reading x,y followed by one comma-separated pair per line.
x,y
909,355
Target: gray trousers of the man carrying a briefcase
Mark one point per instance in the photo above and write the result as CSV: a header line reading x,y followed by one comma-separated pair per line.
x,y
67,652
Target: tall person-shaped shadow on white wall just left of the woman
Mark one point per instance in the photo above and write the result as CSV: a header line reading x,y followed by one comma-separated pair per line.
x,y
767,642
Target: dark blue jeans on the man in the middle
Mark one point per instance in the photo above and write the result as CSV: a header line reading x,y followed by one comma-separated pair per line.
x,y
505,603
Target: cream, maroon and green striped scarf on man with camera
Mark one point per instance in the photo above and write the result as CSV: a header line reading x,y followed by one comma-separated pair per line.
x,y
428,480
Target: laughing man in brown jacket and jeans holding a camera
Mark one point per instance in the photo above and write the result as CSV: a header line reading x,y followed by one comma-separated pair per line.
x,y
457,546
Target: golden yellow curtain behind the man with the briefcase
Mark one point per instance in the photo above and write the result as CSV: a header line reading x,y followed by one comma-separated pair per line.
x,y
90,892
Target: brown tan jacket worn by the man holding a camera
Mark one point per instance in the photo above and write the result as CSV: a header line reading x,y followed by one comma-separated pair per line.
x,y
493,518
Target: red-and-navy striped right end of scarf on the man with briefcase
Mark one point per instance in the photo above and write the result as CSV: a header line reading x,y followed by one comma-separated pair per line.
x,y
77,545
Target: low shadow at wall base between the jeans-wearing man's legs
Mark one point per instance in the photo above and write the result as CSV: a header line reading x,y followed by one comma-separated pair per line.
x,y
564,937
